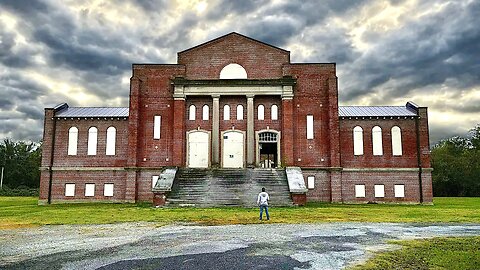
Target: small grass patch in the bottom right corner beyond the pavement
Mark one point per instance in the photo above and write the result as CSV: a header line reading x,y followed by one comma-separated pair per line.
x,y
435,253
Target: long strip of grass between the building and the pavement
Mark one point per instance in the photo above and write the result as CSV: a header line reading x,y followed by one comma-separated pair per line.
x,y
18,212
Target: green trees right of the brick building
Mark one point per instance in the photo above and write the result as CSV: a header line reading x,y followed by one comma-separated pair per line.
x,y
456,164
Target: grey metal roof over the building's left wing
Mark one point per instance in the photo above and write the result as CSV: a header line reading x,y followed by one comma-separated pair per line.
x,y
93,112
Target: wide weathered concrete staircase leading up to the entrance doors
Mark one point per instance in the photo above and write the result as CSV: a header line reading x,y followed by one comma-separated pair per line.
x,y
228,187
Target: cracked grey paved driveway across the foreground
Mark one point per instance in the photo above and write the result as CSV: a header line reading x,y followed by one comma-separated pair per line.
x,y
263,246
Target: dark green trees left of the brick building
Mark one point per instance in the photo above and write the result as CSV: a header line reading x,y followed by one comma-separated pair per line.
x,y
21,162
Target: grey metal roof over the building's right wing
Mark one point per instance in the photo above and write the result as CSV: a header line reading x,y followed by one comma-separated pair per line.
x,y
349,111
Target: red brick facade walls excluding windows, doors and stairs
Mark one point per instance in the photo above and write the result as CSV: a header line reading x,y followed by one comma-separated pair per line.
x,y
297,90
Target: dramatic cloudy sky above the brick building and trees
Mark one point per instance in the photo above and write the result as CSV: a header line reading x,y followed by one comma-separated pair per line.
x,y
387,52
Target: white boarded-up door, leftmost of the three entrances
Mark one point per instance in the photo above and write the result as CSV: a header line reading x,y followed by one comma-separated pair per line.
x,y
198,149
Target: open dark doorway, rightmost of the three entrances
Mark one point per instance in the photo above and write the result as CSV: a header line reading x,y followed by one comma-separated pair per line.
x,y
268,149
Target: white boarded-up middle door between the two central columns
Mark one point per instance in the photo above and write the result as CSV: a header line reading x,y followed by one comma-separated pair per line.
x,y
233,149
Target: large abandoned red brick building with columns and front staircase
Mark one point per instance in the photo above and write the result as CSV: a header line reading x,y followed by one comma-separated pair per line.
x,y
232,116
